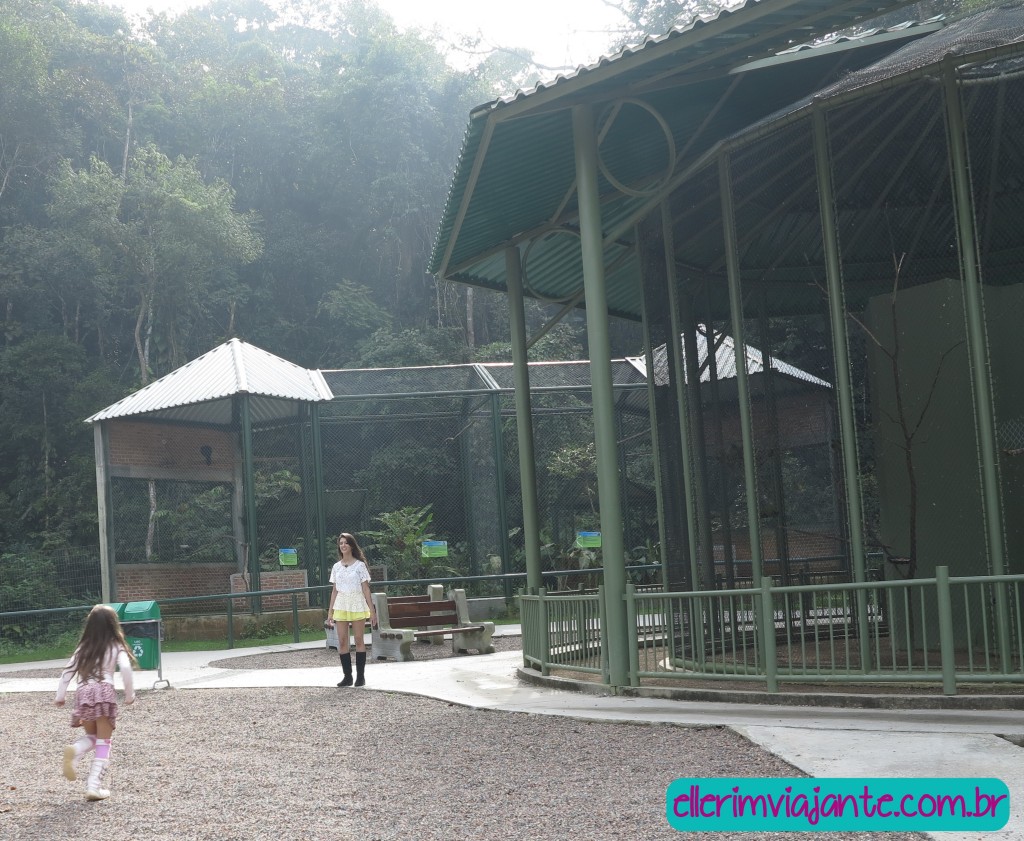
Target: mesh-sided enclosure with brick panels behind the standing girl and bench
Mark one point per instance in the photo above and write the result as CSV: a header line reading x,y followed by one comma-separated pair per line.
x,y
405,457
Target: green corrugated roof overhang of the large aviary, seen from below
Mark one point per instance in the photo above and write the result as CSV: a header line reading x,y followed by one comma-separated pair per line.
x,y
516,178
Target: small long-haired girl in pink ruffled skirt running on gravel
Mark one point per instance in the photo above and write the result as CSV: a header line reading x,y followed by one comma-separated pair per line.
x,y
101,649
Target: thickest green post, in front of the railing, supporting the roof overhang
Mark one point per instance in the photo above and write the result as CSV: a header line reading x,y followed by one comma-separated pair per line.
x,y
592,246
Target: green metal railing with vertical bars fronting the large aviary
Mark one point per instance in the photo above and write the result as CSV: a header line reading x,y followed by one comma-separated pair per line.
x,y
941,630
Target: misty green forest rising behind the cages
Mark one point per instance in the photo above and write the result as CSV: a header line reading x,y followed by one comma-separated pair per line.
x,y
271,172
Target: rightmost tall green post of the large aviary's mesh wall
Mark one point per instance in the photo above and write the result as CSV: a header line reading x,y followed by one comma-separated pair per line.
x,y
974,310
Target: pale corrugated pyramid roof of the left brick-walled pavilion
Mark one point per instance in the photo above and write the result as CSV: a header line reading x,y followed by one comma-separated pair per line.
x,y
233,368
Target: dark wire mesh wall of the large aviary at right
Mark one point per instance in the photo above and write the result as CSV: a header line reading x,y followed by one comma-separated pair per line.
x,y
892,303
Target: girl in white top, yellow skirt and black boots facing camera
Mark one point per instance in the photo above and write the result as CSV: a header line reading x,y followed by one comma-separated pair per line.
x,y
351,606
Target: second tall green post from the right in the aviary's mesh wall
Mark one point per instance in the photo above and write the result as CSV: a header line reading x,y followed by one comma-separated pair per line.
x,y
843,385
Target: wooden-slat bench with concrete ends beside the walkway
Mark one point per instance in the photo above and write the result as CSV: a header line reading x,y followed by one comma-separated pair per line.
x,y
404,620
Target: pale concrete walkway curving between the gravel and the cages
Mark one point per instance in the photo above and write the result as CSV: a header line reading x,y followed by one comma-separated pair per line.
x,y
821,742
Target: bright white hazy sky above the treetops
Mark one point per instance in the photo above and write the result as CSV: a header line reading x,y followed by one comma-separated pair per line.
x,y
561,33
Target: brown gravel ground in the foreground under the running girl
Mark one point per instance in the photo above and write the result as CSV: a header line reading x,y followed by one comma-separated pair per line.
x,y
326,764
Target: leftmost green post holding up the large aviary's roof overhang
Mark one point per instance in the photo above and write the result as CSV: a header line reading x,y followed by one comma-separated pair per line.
x,y
525,422
